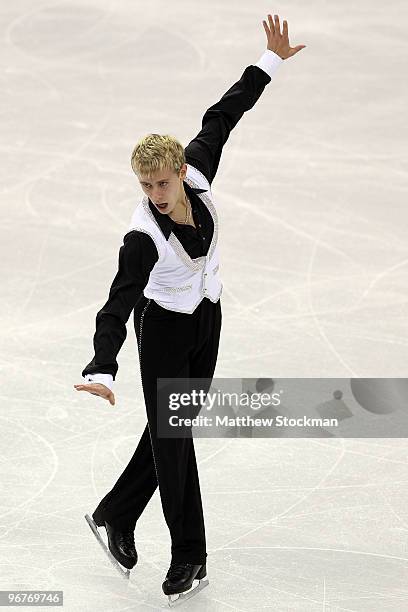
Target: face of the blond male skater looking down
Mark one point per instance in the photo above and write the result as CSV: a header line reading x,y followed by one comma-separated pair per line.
x,y
164,187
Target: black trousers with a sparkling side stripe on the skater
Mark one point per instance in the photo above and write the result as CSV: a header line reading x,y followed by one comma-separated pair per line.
x,y
179,345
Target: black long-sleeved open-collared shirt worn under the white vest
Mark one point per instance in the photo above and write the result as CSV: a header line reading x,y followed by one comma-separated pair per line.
x,y
138,253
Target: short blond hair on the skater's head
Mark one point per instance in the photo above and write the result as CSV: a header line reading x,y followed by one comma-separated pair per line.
x,y
156,152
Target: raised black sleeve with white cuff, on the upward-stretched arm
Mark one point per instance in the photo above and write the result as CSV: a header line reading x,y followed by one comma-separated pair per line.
x,y
204,151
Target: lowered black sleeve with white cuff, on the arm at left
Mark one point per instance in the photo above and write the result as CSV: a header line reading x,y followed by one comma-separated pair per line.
x,y
137,257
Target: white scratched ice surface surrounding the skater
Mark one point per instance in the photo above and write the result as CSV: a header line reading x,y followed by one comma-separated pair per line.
x,y
313,183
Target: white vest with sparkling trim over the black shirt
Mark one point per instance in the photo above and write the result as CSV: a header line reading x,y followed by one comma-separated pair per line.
x,y
176,281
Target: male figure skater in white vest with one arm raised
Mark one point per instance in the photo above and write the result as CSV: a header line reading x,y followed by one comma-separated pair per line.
x,y
169,276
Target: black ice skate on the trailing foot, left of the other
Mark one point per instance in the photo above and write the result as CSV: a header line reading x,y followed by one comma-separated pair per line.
x,y
121,549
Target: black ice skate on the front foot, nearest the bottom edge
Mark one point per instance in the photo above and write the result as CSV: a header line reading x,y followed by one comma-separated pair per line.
x,y
183,580
